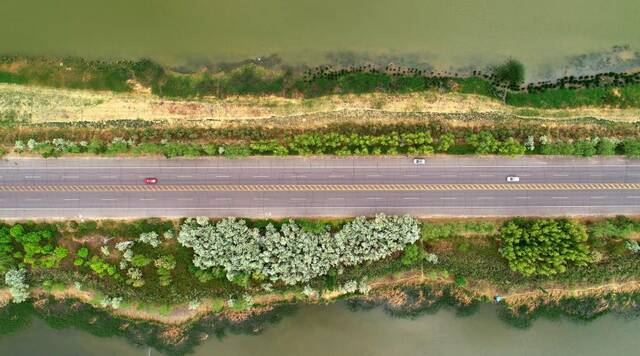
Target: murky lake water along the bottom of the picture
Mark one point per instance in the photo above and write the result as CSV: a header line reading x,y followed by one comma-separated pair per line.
x,y
334,330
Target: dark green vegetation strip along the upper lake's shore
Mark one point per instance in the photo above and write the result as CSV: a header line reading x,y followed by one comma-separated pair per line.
x,y
269,77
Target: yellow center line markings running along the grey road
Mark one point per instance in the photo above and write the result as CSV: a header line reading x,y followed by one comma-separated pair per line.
x,y
314,187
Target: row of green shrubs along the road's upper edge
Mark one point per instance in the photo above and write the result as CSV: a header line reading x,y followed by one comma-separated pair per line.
x,y
420,143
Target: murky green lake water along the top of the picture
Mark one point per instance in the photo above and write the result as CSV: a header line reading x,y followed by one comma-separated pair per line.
x,y
438,32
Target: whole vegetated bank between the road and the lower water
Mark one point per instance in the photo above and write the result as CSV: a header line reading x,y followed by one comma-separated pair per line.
x,y
172,283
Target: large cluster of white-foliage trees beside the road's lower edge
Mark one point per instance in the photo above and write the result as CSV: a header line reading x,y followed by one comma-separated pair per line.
x,y
291,254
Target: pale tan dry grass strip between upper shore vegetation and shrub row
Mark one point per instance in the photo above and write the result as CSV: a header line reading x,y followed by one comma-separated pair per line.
x,y
41,105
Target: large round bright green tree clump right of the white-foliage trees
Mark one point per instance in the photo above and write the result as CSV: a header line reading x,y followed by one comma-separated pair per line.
x,y
543,247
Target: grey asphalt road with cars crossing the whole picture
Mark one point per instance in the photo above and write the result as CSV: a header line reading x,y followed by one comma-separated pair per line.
x,y
33,188
